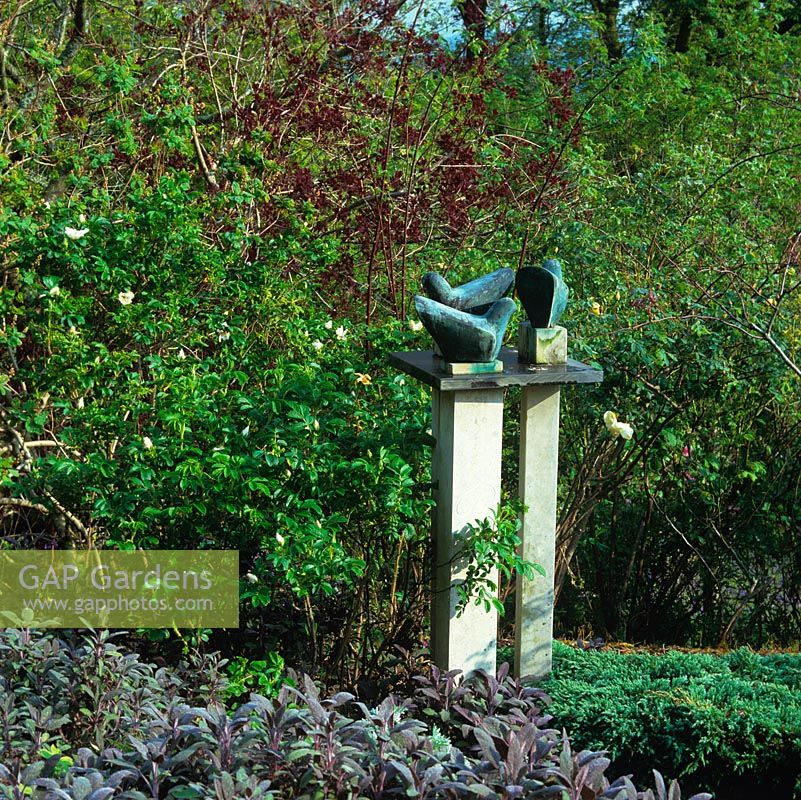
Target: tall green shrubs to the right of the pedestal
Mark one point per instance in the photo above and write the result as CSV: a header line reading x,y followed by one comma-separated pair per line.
x,y
684,235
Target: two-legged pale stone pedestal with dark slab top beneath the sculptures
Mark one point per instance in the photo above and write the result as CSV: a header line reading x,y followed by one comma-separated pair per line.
x,y
467,425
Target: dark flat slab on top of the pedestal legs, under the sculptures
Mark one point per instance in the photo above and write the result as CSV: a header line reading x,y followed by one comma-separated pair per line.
x,y
430,369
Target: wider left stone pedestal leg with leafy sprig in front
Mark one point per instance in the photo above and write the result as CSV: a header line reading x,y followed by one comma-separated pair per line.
x,y
466,471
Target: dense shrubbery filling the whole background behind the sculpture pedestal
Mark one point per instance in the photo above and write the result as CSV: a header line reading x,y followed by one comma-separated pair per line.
x,y
254,172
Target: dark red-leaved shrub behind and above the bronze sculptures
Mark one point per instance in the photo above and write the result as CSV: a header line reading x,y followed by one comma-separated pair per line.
x,y
378,135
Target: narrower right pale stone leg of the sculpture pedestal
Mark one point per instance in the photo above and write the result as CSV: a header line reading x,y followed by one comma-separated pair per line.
x,y
539,454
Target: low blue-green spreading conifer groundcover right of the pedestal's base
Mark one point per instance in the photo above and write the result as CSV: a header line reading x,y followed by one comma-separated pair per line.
x,y
730,721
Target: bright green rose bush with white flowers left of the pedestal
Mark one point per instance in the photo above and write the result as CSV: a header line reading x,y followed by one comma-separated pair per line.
x,y
206,410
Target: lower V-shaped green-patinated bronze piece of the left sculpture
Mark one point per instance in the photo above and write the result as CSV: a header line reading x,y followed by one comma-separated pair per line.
x,y
463,337
